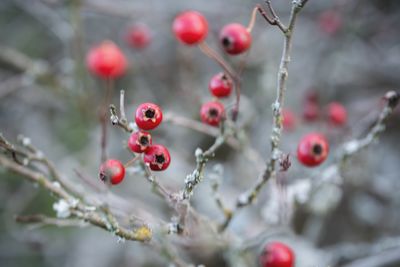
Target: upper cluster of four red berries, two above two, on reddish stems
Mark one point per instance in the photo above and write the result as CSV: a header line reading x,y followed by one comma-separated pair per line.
x,y
191,28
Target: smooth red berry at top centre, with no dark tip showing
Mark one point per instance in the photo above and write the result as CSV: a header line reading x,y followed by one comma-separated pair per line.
x,y
190,27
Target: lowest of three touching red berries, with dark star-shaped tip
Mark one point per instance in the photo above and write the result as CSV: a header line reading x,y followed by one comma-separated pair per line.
x,y
158,158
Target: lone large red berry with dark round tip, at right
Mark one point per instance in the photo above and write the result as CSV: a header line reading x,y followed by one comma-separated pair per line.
x,y
313,149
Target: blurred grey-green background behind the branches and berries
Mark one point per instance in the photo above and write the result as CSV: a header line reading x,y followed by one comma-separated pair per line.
x,y
345,51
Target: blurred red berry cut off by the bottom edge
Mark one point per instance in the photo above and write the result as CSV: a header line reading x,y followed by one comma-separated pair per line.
x,y
277,254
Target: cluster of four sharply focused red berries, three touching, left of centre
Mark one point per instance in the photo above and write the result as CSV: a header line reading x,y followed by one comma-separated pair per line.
x,y
147,117
